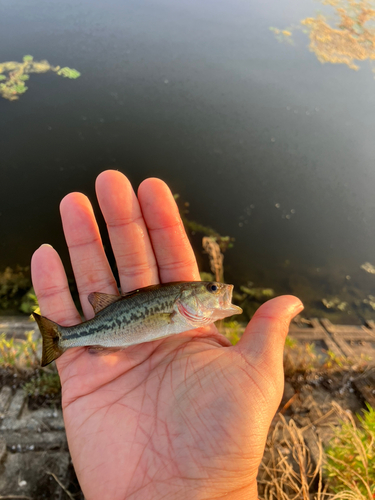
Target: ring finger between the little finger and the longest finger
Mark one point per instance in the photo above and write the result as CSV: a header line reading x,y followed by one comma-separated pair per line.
x,y
90,264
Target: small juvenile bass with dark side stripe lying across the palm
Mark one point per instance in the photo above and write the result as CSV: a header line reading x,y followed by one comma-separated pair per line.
x,y
142,315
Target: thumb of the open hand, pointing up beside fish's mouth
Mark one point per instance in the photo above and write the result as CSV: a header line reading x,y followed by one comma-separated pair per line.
x,y
264,338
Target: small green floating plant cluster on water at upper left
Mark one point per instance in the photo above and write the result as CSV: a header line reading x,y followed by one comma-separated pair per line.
x,y
13,75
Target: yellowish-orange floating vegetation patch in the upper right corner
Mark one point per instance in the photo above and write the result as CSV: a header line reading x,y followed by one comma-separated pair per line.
x,y
349,40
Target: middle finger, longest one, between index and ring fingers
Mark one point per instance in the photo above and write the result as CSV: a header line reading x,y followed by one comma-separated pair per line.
x,y
127,230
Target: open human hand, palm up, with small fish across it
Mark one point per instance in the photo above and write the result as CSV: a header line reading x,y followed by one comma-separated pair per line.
x,y
184,417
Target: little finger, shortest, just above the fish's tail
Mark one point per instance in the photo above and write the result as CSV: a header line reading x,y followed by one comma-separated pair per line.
x,y
51,287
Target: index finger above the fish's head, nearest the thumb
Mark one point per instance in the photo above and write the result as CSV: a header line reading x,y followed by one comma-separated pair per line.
x,y
172,249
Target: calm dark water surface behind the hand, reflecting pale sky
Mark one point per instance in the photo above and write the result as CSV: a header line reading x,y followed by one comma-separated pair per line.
x,y
267,144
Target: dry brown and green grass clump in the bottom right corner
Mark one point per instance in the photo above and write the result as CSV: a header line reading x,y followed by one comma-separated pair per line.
x,y
344,472
